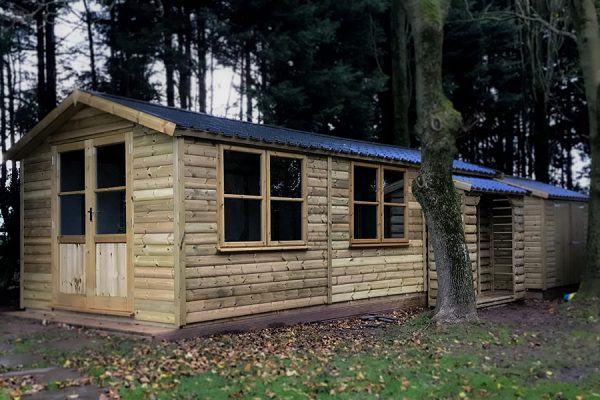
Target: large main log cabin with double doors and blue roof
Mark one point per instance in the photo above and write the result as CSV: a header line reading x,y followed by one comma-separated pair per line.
x,y
164,215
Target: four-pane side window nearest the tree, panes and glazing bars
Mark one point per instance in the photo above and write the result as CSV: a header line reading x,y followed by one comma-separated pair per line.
x,y
378,205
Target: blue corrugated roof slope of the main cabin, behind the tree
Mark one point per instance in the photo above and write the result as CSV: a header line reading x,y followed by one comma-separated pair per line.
x,y
276,135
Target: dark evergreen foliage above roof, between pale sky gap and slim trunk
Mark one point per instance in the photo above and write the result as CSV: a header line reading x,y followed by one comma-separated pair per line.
x,y
317,64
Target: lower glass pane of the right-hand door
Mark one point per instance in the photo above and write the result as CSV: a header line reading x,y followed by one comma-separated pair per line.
x,y
110,212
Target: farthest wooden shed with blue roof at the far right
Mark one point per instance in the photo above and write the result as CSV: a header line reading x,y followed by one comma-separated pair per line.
x,y
555,234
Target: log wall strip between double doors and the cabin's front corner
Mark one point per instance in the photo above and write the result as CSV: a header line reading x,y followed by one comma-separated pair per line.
x,y
154,235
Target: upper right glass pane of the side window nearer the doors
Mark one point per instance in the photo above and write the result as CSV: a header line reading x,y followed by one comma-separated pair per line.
x,y
286,177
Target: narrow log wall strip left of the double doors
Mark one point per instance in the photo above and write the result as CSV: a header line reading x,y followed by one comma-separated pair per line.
x,y
36,266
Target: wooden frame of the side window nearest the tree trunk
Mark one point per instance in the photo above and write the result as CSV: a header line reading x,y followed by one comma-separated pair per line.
x,y
380,240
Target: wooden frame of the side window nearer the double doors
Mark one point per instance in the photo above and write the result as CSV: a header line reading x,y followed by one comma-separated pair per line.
x,y
265,197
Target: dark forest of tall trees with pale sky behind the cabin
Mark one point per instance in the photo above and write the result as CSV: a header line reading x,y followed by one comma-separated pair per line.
x,y
343,68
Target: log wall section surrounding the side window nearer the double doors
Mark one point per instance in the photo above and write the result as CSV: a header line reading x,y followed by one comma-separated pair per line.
x,y
228,284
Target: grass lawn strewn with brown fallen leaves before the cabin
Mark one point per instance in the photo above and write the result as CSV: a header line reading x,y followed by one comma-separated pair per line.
x,y
526,350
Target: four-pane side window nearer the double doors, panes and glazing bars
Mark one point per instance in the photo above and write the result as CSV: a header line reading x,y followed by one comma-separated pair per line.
x,y
262,198
